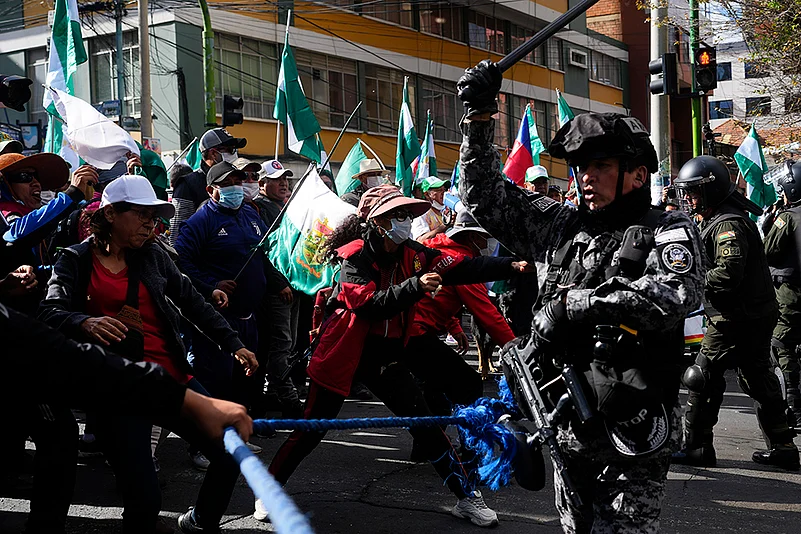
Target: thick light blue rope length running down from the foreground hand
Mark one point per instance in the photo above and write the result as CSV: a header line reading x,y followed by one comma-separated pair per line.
x,y
284,515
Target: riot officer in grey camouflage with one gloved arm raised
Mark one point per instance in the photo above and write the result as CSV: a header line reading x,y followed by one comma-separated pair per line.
x,y
642,291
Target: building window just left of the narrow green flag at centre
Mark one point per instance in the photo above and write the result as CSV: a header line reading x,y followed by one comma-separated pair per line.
x,y
383,97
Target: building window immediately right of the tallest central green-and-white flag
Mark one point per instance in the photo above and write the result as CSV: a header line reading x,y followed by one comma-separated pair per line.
x,y
330,86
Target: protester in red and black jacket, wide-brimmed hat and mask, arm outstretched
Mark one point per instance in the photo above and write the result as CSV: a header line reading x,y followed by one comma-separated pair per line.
x,y
384,274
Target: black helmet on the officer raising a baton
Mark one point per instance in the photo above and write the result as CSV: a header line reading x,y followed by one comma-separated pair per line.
x,y
604,135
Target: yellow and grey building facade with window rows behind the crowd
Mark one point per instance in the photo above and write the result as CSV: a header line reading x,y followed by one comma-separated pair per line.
x,y
347,51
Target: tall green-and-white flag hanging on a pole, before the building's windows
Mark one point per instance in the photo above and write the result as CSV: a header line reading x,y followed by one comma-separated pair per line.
x,y
292,109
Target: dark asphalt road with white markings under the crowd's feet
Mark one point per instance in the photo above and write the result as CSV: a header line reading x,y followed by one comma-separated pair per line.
x,y
360,482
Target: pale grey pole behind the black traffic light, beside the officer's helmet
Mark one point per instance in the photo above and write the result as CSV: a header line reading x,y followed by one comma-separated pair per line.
x,y
660,107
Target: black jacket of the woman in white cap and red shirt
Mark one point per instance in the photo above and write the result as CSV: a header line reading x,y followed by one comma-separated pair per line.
x,y
64,307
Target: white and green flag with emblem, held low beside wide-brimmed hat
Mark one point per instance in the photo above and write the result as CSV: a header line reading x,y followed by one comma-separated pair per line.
x,y
296,245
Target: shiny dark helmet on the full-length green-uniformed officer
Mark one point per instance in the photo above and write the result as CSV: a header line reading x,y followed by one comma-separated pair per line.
x,y
709,179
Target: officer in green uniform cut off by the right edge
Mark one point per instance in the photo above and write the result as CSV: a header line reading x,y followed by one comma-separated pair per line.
x,y
784,258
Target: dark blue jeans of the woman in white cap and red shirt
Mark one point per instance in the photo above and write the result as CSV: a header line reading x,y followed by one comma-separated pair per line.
x,y
126,443
